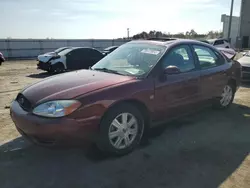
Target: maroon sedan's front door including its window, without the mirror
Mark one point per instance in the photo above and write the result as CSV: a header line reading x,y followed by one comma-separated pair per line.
x,y
177,94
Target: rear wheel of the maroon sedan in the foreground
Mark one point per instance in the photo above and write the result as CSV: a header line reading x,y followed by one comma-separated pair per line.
x,y
226,98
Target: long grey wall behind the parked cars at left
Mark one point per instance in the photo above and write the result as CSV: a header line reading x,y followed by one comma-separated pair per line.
x,y
31,48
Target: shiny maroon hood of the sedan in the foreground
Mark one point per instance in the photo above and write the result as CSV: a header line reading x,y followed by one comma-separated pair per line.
x,y
70,85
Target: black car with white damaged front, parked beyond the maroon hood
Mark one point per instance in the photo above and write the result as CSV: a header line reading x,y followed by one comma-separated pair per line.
x,y
73,58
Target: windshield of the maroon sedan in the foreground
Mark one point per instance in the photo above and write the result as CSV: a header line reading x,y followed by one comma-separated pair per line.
x,y
135,59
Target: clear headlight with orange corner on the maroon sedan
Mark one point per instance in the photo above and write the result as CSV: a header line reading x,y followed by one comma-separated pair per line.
x,y
58,108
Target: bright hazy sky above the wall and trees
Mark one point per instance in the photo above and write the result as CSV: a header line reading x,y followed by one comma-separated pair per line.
x,y
108,18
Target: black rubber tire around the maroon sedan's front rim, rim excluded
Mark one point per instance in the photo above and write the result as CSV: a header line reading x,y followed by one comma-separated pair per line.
x,y
104,142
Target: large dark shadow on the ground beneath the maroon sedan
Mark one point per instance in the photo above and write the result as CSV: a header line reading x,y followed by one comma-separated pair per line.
x,y
200,150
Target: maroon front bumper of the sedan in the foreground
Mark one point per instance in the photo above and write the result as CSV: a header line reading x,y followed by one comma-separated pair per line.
x,y
53,131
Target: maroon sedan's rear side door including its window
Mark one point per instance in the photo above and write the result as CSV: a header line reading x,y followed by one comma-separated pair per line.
x,y
213,69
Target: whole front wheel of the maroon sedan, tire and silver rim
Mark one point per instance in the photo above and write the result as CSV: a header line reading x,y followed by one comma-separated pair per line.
x,y
116,138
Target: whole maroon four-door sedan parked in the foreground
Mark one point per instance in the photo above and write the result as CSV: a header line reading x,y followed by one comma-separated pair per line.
x,y
139,85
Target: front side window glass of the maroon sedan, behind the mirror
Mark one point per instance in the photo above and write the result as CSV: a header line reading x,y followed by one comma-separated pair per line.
x,y
180,57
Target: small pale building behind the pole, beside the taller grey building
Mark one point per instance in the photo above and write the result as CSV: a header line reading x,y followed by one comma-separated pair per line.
x,y
234,28
